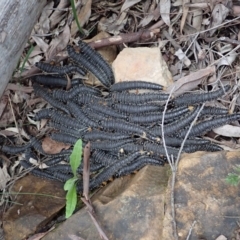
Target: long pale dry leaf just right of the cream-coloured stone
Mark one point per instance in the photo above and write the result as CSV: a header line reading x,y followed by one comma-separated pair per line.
x,y
191,81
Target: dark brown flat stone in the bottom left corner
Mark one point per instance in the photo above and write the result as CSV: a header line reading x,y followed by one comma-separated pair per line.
x,y
34,210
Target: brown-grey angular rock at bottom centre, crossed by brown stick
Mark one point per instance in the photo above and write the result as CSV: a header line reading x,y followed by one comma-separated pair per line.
x,y
131,207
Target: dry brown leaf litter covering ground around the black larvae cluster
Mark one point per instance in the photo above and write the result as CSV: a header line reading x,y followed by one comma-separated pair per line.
x,y
199,46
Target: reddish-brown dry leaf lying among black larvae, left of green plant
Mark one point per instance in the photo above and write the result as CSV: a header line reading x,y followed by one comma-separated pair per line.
x,y
52,147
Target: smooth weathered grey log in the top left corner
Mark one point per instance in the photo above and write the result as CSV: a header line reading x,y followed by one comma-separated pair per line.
x,y
17,19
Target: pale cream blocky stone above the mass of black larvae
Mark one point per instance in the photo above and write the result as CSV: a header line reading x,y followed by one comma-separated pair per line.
x,y
143,63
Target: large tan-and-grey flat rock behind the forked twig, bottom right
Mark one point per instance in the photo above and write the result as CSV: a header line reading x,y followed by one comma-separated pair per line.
x,y
202,195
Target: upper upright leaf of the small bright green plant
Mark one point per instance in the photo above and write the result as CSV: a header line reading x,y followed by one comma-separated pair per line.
x,y
76,156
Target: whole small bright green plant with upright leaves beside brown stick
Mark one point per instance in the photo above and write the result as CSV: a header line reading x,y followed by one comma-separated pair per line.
x,y
70,185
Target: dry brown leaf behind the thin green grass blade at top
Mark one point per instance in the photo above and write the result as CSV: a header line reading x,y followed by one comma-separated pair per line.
x,y
83,16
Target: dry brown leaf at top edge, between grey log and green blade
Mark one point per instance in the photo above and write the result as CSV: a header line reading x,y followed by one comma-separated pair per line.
x,y
59,13
